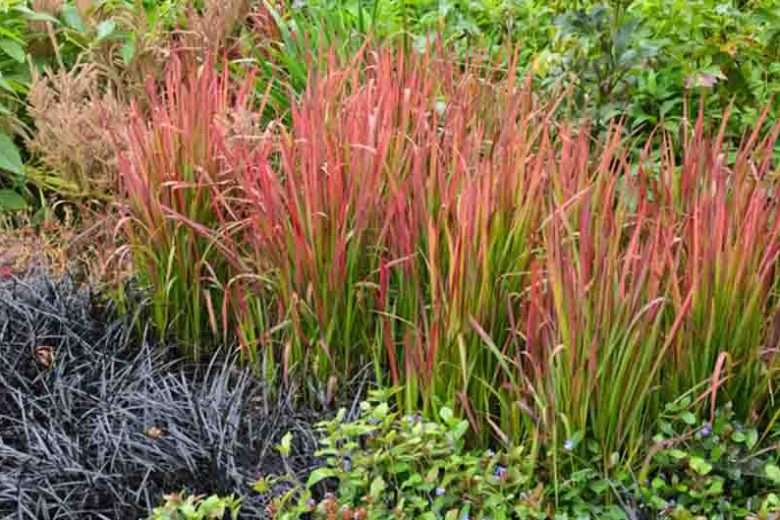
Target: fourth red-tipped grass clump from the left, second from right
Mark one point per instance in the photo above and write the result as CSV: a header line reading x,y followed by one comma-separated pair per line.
x,y
597,334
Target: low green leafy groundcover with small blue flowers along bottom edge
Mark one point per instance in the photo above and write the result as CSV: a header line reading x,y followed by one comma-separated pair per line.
x,y
387,465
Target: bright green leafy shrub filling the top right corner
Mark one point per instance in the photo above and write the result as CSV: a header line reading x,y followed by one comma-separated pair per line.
x,y
725,51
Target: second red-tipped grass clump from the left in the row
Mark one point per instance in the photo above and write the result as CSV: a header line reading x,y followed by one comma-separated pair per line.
x,y
317,201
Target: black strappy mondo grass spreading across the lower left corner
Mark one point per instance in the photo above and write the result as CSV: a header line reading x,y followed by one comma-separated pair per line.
x,y
97,422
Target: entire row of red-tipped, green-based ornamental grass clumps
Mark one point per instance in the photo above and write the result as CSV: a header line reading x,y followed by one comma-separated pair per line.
x,y
432,218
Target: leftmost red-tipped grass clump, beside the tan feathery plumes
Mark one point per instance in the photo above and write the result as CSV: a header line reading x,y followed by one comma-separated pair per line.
x,y
176,176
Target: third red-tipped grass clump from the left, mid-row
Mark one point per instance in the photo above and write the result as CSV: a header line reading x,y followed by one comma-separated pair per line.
x,y
463,226
